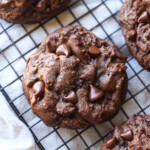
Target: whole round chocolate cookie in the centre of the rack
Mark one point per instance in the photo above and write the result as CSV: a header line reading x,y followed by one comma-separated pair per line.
x,y
75,79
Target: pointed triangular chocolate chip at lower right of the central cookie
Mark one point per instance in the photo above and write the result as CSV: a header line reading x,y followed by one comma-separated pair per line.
x,y
95,93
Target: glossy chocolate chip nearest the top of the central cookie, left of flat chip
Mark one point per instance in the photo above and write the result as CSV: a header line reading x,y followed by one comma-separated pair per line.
x,y
63,49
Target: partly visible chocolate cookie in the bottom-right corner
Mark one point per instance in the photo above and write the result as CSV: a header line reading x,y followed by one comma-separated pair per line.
x,y
134,134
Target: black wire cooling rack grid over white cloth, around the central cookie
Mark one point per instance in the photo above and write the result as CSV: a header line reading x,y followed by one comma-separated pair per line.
x,y
14,53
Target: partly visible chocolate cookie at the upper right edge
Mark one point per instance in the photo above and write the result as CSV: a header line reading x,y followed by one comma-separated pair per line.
x,y
134,17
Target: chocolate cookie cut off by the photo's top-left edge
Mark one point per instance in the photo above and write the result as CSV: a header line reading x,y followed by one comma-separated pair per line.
x,y
30,11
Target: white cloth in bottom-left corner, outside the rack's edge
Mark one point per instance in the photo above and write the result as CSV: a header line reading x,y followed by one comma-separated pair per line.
x,y
14,135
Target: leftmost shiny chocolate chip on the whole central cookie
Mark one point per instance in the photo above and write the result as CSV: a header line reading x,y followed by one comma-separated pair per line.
x,y
38,88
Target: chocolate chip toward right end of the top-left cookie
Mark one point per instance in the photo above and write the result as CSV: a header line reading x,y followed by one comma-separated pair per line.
x,y
41,6
